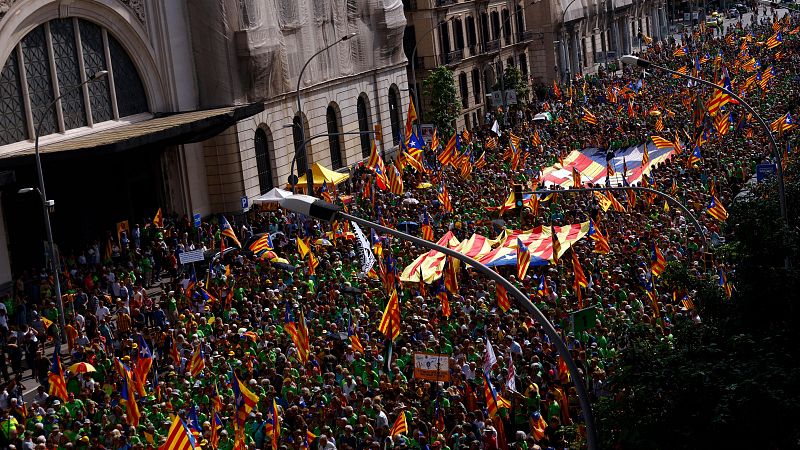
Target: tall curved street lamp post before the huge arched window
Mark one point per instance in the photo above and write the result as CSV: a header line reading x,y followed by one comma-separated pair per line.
x,y
46,204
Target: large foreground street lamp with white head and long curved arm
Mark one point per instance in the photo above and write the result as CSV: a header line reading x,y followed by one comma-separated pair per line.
x,y
318,209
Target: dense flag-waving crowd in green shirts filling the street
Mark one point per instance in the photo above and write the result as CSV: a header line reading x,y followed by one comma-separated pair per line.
x,y
209,335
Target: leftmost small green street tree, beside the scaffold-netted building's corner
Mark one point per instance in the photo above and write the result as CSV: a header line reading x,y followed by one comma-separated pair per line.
x,y
444,105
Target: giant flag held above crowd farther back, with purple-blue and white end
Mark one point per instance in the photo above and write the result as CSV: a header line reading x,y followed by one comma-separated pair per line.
x,y
590,163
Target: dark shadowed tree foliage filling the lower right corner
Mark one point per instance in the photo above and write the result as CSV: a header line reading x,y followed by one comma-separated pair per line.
x,y
728,382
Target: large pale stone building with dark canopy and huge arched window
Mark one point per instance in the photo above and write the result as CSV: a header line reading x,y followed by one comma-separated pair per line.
x,y
197,110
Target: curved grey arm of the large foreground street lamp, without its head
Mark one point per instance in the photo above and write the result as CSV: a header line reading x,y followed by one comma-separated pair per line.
x,y
555,338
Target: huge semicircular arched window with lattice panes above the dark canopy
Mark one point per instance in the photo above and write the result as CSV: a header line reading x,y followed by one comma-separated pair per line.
x,y
52,55
